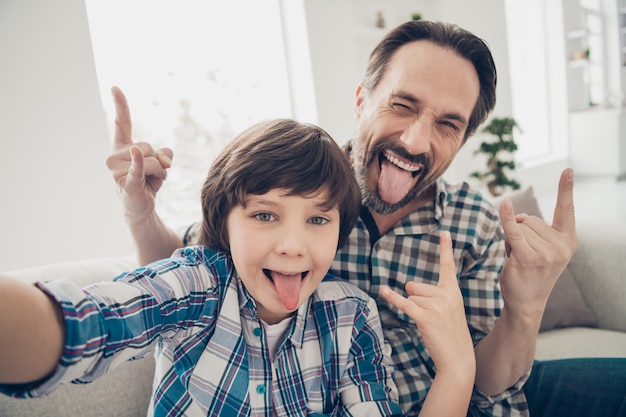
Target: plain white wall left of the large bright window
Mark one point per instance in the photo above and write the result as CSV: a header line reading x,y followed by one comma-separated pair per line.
x,y
58,200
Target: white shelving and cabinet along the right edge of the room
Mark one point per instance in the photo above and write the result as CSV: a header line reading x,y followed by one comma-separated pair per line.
x,y
594,45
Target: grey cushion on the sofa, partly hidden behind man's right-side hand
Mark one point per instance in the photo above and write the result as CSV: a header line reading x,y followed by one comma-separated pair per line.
x,y
566,306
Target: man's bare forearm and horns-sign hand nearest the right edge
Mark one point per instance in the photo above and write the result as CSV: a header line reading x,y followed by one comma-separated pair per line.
x,y
537,254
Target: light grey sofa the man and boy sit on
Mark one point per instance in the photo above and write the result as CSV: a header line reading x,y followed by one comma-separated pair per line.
x,y
585,317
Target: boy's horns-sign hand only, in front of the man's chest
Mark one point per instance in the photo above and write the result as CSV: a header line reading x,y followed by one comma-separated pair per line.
x,y
439,314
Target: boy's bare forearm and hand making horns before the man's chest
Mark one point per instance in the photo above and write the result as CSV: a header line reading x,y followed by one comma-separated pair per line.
x,y
439,314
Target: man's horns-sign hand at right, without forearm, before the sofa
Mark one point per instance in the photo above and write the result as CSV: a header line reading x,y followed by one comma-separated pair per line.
x,y
537,252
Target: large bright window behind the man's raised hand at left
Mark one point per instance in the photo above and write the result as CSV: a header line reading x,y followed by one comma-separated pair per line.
x,y
195,72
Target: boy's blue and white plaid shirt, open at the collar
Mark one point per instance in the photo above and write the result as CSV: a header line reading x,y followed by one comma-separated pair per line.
x,y
211,349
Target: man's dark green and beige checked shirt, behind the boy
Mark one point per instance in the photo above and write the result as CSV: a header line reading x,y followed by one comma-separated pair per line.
x,y
410,252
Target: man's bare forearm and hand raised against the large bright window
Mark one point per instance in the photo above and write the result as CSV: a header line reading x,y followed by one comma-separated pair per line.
x,y
139,171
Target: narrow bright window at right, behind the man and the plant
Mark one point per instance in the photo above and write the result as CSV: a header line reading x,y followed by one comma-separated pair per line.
x,y
537,80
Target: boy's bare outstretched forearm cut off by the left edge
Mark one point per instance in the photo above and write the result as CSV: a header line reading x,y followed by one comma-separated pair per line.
x,y
33,332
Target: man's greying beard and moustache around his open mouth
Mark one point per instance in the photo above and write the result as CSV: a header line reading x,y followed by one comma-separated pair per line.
x,y
371,198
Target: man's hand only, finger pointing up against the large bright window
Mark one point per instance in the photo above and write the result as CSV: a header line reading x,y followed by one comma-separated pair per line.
x,y
138,169
